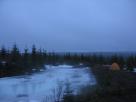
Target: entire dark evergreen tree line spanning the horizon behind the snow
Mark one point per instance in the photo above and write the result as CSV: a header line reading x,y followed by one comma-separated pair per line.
x,y
15,62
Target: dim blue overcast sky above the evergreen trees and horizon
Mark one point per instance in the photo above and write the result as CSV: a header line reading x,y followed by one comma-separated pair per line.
x,y
69,25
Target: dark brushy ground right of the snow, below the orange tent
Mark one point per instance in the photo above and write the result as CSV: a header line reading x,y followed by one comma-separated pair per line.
x,y
112,86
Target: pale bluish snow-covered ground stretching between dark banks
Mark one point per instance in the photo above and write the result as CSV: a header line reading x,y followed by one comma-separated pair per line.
x,y
46,86
